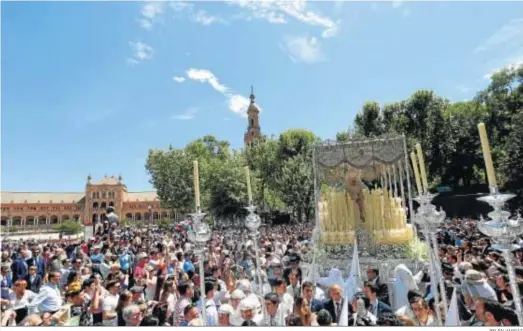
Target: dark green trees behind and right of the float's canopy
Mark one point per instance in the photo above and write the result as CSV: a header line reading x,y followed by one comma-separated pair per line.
x,y
448,131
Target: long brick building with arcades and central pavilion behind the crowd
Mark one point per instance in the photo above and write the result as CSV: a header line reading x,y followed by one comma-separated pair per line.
x,y
28,209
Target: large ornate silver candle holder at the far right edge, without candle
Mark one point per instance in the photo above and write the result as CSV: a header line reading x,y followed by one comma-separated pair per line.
x,y
503,230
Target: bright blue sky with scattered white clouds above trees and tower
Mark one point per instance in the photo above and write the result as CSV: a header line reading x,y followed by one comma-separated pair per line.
x,y
90,87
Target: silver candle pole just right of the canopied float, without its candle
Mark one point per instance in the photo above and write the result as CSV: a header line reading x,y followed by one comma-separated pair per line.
x,y
429,219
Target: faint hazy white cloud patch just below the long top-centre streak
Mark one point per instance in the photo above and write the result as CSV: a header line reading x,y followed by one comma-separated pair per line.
x,y
303,49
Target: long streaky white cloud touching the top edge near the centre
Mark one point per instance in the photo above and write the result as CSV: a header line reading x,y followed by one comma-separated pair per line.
x,y
276,12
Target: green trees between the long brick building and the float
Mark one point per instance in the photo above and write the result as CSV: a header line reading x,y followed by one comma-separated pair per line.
x,y
281,175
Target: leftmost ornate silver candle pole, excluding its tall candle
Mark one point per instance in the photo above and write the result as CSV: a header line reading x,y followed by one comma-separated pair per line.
x,y
199,235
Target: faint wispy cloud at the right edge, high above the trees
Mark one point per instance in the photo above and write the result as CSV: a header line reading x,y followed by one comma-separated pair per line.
x,y
508,36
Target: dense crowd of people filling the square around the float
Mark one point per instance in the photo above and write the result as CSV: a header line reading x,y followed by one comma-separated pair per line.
x,y
150,277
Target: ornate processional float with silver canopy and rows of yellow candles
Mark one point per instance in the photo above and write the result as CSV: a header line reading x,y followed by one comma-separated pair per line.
x,y
363,192
